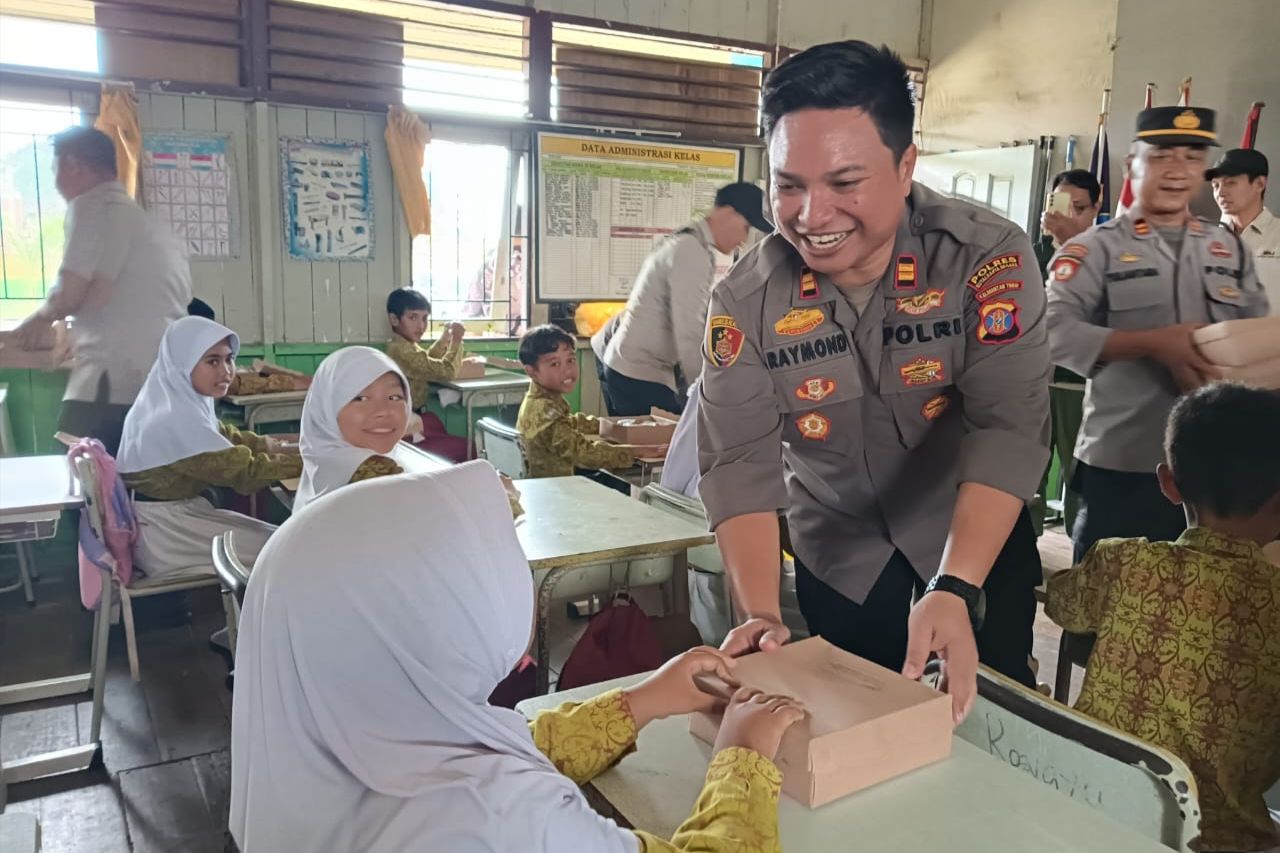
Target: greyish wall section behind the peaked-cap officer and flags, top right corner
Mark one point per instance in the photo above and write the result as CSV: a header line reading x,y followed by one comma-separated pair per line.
x,y
1232,53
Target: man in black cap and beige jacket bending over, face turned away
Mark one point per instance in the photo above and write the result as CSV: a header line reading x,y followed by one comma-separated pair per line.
x,y
651,353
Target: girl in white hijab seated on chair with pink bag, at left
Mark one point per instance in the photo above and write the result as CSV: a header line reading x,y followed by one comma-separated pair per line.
x,y
173,449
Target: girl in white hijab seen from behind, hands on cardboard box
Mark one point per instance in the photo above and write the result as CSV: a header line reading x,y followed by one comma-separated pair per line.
x,y
369,641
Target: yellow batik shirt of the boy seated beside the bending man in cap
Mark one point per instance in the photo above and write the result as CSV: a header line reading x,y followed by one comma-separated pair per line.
x,y
557,441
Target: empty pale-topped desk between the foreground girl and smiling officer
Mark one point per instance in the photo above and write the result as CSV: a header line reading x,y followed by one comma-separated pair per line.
x,y
573,523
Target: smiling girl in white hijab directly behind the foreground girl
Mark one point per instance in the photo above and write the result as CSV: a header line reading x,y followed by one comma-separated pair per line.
x,y
353,422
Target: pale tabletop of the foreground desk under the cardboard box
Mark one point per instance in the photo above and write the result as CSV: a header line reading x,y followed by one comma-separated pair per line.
x,y
970,804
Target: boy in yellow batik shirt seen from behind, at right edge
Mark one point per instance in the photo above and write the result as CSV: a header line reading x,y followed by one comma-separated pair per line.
x,y
1188,632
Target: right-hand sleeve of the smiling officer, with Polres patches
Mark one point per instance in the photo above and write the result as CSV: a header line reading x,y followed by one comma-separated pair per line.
x,y
1005,380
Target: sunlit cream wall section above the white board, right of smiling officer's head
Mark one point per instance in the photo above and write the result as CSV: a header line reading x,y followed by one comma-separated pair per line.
x,y
1016,70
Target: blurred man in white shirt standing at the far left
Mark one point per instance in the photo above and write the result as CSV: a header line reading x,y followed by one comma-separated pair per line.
x,y
124,280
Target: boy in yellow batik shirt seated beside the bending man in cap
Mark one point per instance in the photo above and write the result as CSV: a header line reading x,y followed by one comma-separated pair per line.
x,y
556,440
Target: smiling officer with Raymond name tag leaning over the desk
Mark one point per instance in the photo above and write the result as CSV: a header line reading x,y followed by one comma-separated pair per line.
x,y
880,372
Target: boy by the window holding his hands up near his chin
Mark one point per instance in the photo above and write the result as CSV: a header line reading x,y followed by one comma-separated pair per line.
x,y
409,313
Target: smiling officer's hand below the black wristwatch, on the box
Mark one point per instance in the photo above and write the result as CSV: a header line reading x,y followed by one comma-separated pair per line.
x,y
940,623
